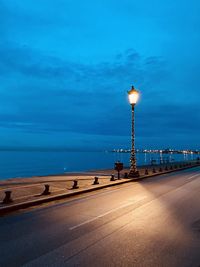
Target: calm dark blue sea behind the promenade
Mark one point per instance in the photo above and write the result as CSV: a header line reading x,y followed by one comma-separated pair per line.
x,y
15,164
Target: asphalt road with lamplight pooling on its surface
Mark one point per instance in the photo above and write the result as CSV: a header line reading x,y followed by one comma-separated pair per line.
x,y
154,222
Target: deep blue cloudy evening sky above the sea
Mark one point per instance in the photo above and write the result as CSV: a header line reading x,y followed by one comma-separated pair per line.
x,y
66,66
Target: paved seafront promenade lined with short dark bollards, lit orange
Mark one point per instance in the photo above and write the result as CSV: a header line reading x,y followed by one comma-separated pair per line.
x,y
19,193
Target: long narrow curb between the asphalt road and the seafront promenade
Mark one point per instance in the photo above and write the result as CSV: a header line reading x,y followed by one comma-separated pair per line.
x,y
14,207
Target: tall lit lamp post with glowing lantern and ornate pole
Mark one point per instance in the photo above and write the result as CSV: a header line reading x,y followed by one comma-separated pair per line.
x,y
133,96
